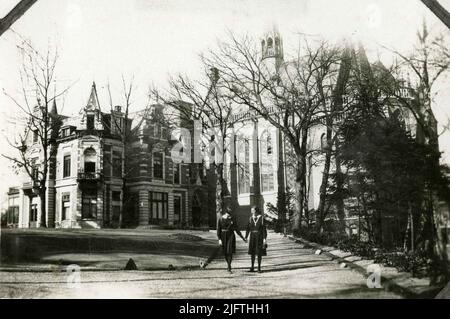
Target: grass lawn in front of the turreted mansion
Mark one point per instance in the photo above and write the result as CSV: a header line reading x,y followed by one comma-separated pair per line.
x,y
151,249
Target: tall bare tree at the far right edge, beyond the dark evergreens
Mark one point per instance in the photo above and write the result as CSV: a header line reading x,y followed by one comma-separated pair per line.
x,y
429,62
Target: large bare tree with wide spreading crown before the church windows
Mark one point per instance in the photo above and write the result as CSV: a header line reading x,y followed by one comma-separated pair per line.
x,y
292,98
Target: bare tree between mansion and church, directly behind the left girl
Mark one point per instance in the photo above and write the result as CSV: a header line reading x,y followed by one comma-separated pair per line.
x,y
206,102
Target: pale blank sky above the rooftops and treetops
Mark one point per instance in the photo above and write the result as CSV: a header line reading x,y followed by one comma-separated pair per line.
x,y
102,40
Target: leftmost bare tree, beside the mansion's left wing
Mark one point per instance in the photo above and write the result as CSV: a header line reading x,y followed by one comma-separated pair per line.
x,y
42,120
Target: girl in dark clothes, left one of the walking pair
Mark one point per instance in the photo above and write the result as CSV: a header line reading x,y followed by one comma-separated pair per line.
x,y
226,227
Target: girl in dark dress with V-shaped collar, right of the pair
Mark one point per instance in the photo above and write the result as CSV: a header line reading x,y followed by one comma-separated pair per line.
x,y
257,230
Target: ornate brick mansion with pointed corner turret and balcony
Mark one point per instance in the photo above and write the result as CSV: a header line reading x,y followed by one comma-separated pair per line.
x,y
97,181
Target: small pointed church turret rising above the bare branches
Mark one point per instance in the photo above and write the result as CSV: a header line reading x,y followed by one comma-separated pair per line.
x,y
272,50
